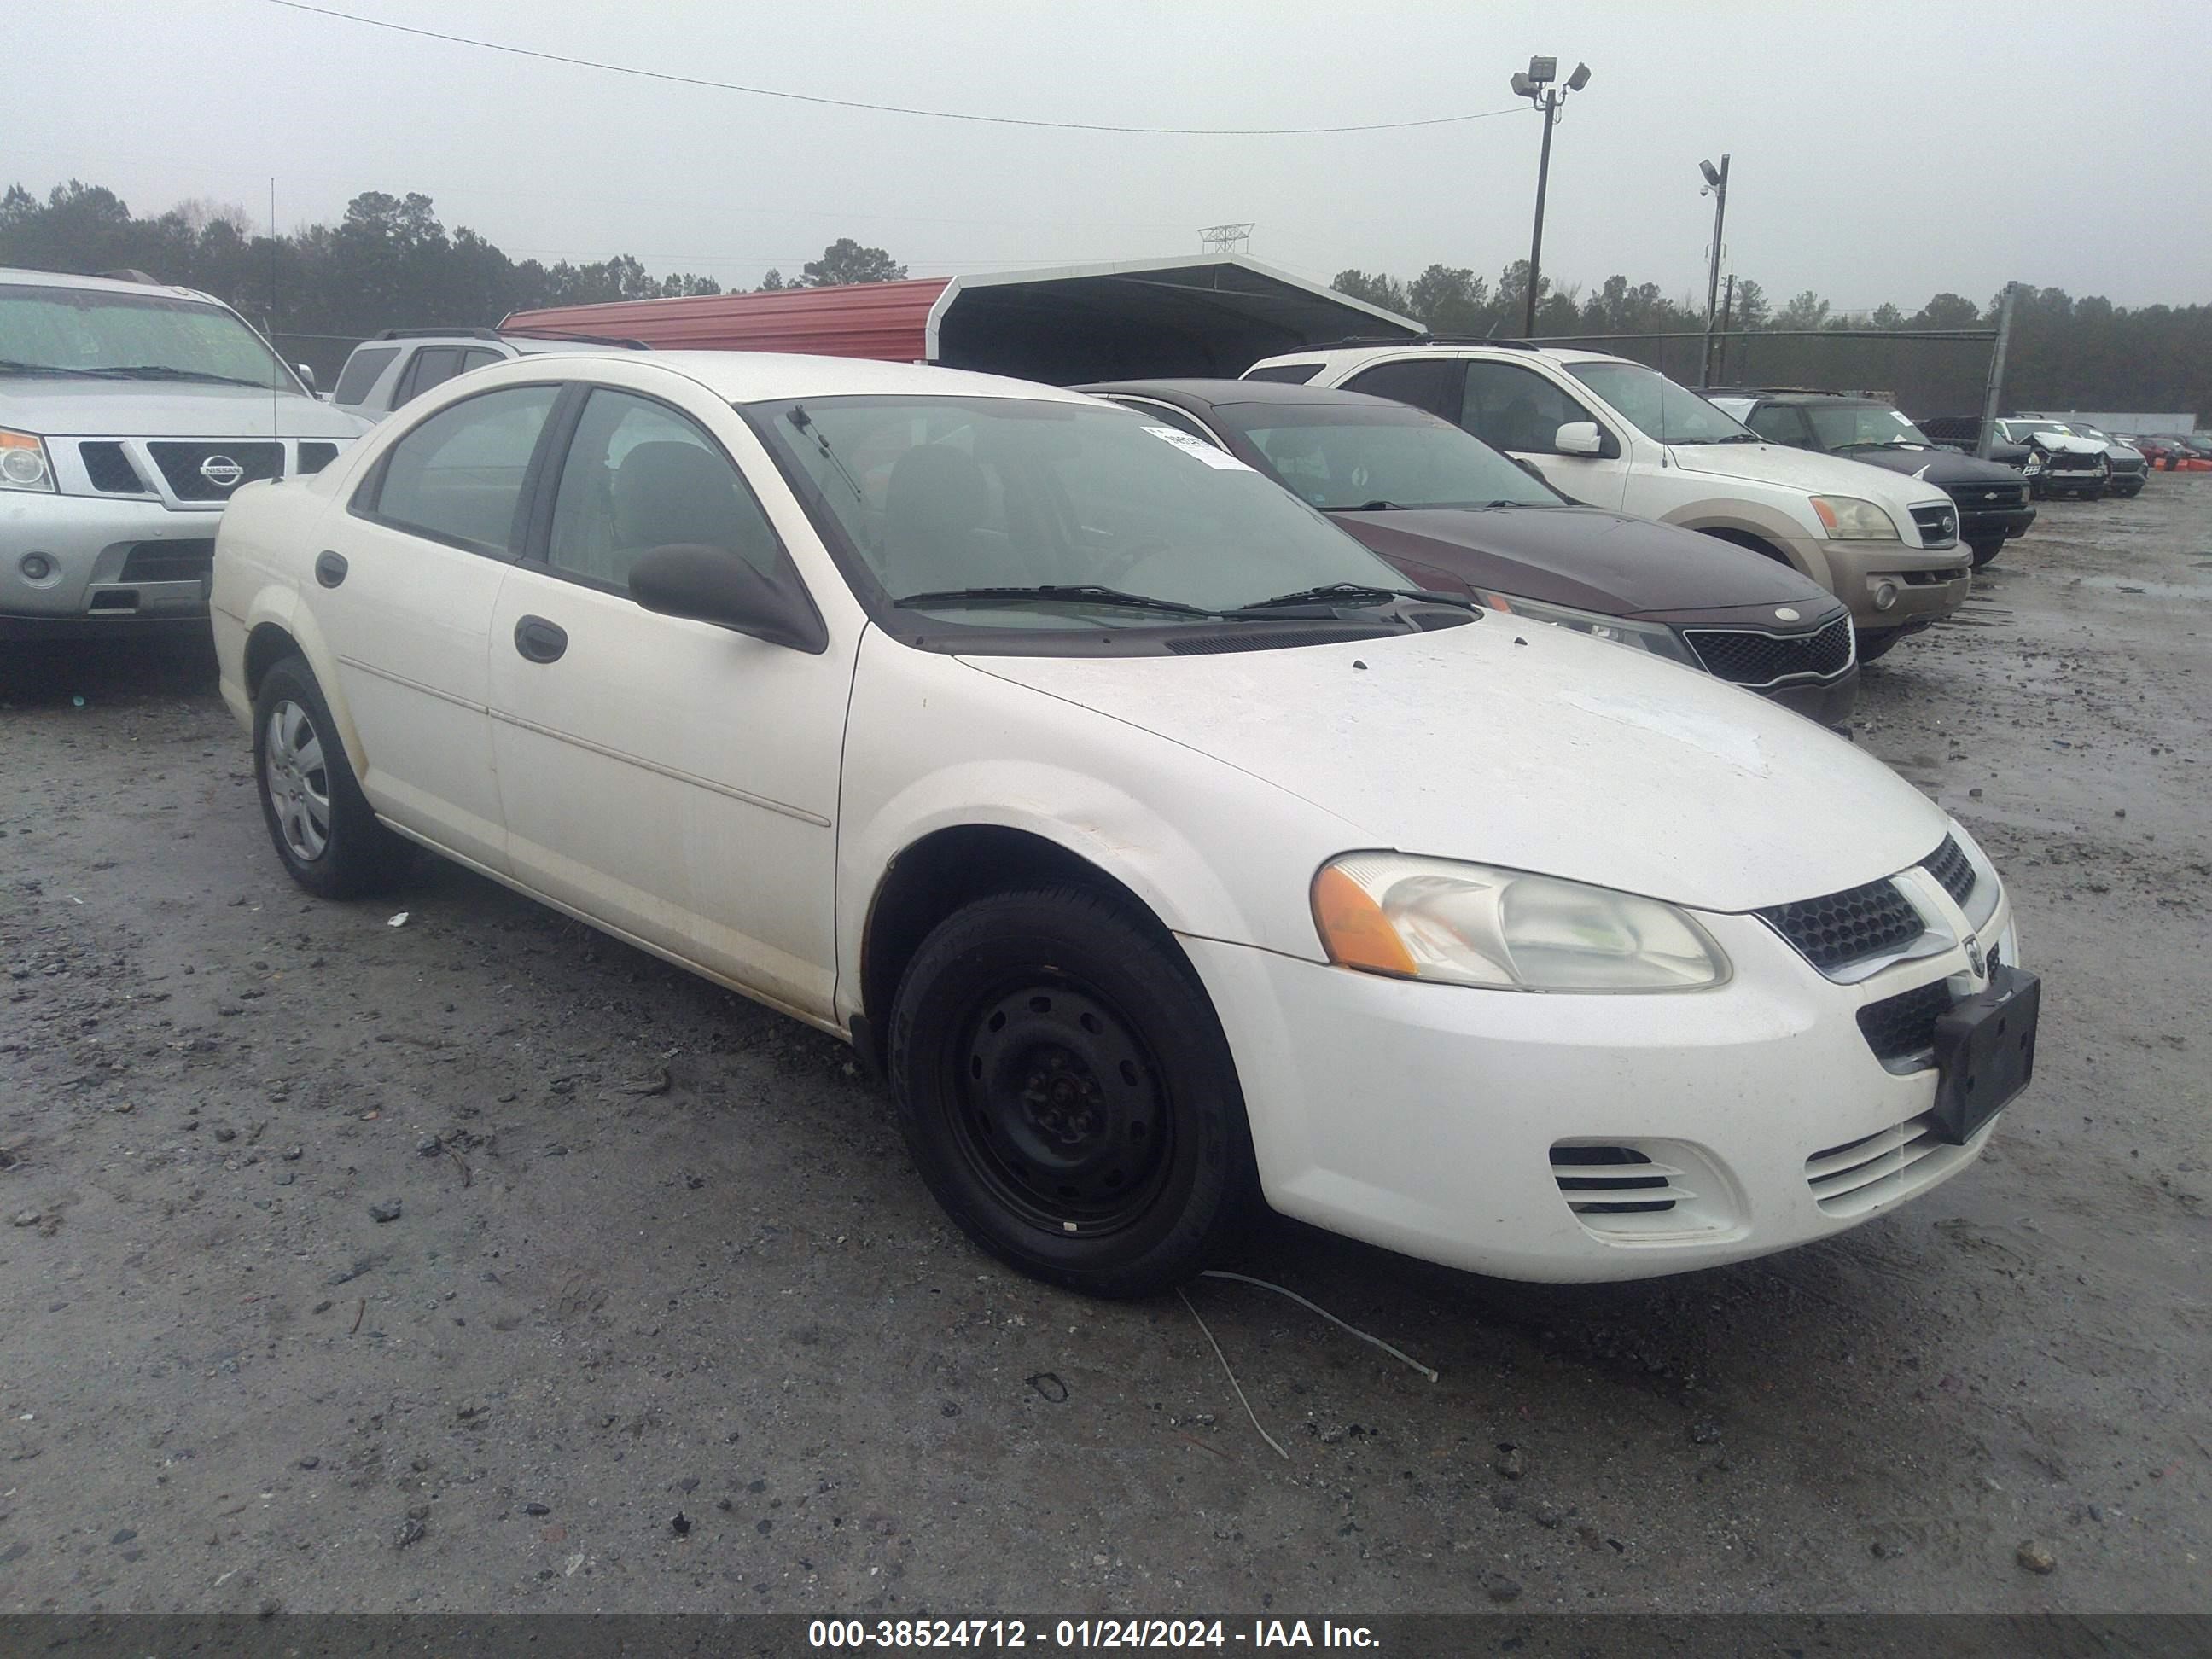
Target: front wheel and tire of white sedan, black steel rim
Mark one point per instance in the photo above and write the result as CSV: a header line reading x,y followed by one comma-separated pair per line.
x,y
1067,1092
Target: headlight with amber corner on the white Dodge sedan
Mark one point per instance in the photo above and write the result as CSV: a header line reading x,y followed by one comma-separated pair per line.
x,y
1505,930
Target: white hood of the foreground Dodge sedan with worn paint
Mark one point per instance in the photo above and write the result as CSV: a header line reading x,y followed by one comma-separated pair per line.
x,y
1536,749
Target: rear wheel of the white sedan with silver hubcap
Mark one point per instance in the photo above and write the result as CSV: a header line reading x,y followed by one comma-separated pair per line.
x,y
324,828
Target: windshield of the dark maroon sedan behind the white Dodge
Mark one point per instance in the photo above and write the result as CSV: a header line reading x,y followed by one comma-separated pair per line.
x,y
1355,461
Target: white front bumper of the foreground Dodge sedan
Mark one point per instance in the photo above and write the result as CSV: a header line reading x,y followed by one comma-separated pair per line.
x,y
1432,1120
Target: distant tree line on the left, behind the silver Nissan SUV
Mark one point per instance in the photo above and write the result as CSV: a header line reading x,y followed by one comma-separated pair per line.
x,y
386,264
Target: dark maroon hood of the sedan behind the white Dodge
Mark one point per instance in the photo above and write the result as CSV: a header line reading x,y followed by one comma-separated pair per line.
x,y
1585,559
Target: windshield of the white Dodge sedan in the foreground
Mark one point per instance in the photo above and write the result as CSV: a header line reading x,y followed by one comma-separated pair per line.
x,y
1014,514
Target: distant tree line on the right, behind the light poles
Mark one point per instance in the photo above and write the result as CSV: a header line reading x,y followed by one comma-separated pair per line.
x,y
2065,353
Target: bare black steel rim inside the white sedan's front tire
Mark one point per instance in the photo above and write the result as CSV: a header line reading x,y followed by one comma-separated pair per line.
x,y
1061,1109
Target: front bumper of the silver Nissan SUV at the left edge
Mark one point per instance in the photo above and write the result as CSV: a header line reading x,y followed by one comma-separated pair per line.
x,y
114,563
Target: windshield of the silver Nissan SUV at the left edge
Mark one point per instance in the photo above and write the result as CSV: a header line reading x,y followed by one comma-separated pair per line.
x,y
79,333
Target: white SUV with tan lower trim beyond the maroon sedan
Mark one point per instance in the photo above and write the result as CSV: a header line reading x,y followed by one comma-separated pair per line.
x,y
1618,435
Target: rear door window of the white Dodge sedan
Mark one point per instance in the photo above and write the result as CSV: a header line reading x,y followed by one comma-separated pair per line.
x,y
459,477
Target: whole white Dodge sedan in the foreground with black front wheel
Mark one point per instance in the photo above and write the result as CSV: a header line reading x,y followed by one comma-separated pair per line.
x,y
1151,837
